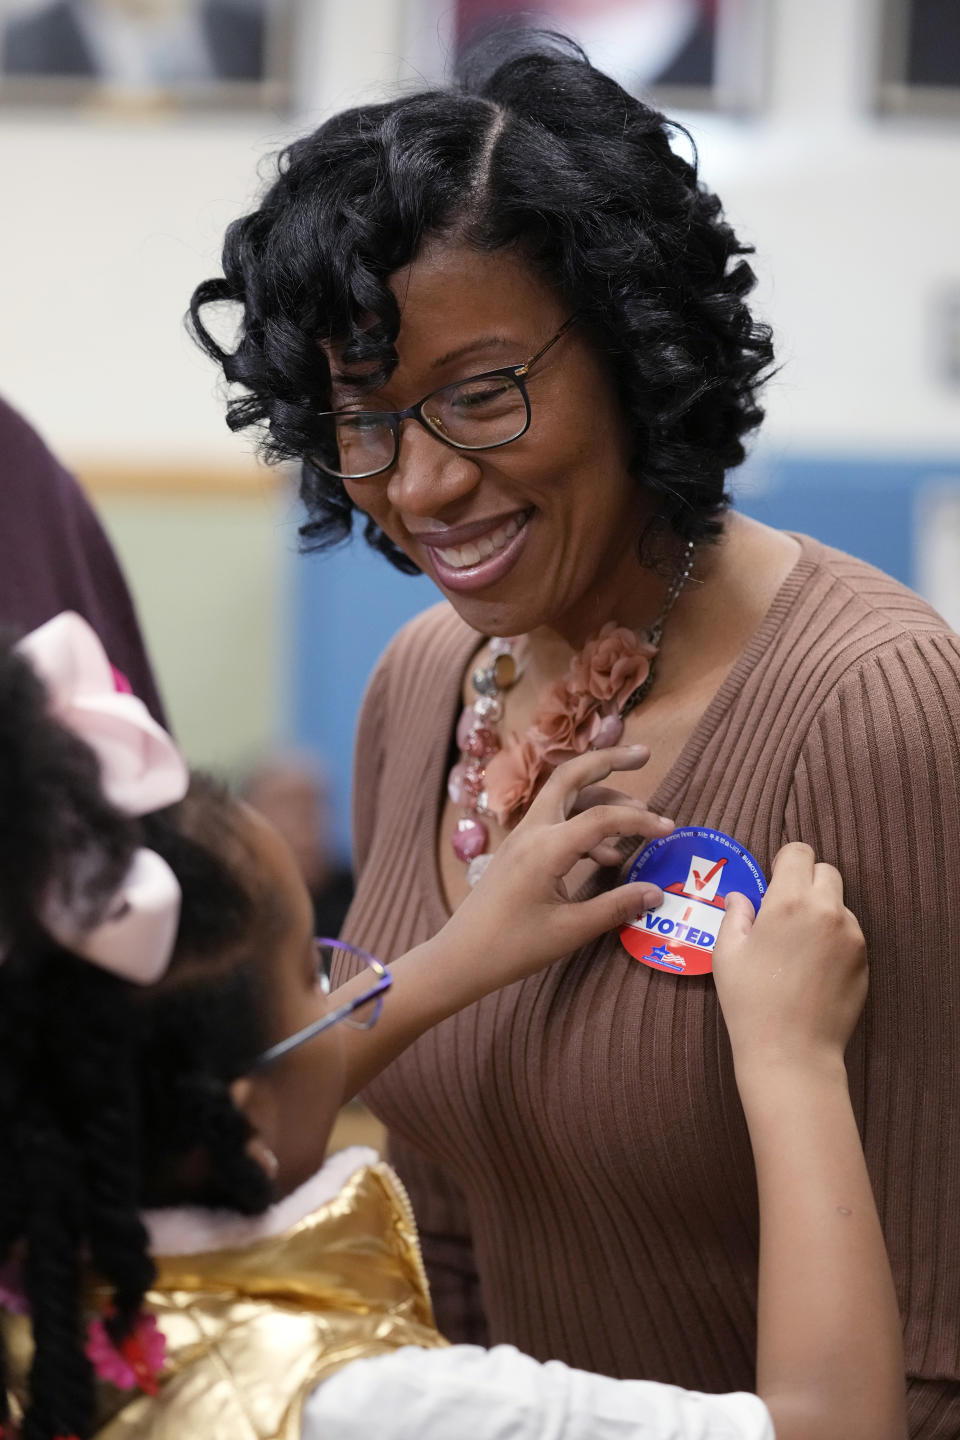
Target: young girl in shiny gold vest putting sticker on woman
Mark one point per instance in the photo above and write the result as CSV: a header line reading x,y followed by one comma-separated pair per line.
x,y
166,1046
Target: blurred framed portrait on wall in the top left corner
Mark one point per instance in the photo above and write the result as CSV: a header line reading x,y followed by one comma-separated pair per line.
x,y
146,54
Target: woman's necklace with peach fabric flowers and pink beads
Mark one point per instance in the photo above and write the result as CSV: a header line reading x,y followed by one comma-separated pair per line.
x,y
585,711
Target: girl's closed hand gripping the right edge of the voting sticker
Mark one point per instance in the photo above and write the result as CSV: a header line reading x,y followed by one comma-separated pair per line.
x,y
792,981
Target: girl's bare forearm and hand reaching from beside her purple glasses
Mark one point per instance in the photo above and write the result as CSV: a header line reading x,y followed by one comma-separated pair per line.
x,y
519,919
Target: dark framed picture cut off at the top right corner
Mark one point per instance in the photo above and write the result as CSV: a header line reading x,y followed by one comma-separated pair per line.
x,y
920,58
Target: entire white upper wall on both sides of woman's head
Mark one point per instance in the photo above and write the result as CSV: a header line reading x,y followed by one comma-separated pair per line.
x,y
109,224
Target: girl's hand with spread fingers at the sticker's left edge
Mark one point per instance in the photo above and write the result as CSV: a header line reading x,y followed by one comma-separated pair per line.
x,y
520,917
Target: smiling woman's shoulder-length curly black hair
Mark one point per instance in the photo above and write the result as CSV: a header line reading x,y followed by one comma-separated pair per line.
x,y
530,149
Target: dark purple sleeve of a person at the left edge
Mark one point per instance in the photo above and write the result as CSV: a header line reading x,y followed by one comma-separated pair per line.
x,y
55,555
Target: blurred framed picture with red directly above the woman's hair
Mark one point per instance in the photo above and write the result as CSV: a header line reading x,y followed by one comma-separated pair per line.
x,y
677,54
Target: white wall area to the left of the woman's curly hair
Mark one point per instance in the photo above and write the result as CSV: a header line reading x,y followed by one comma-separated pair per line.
x,y
106,227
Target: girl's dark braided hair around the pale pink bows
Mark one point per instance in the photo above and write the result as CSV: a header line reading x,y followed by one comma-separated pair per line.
x,y
110,1092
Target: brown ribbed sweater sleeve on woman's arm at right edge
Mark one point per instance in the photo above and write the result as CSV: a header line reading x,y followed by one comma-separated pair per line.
x,y
877,793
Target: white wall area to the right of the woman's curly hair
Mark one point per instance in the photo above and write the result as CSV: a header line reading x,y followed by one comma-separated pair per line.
x,y
857,225
